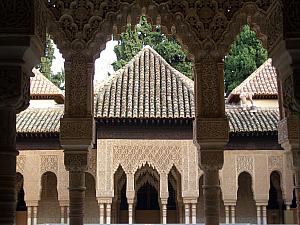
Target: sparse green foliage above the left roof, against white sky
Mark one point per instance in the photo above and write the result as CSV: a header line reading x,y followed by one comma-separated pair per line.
x,y
46,62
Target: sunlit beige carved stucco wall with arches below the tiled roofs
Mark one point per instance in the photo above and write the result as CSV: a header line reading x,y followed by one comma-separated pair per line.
x,y
161,155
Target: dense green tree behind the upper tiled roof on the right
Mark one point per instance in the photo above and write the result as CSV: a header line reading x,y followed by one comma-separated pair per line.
x,y
245,56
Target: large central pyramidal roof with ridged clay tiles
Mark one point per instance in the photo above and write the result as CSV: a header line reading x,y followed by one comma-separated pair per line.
x,y
147,87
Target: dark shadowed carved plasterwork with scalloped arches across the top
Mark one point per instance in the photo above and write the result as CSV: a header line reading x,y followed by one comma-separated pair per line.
x,y
212,24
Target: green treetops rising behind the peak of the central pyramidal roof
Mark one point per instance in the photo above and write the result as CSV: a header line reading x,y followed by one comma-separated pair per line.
x,y
133,40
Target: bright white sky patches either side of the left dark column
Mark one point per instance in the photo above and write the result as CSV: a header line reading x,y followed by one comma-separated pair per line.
x,y
102,65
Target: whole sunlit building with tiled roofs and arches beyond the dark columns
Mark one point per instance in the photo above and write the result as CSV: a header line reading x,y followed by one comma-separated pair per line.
x,y
143,167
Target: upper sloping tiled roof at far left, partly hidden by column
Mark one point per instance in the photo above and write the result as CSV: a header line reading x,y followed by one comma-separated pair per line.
x,y
42,88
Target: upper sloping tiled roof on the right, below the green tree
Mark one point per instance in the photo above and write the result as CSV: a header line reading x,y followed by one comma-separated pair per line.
x,y
262,83
